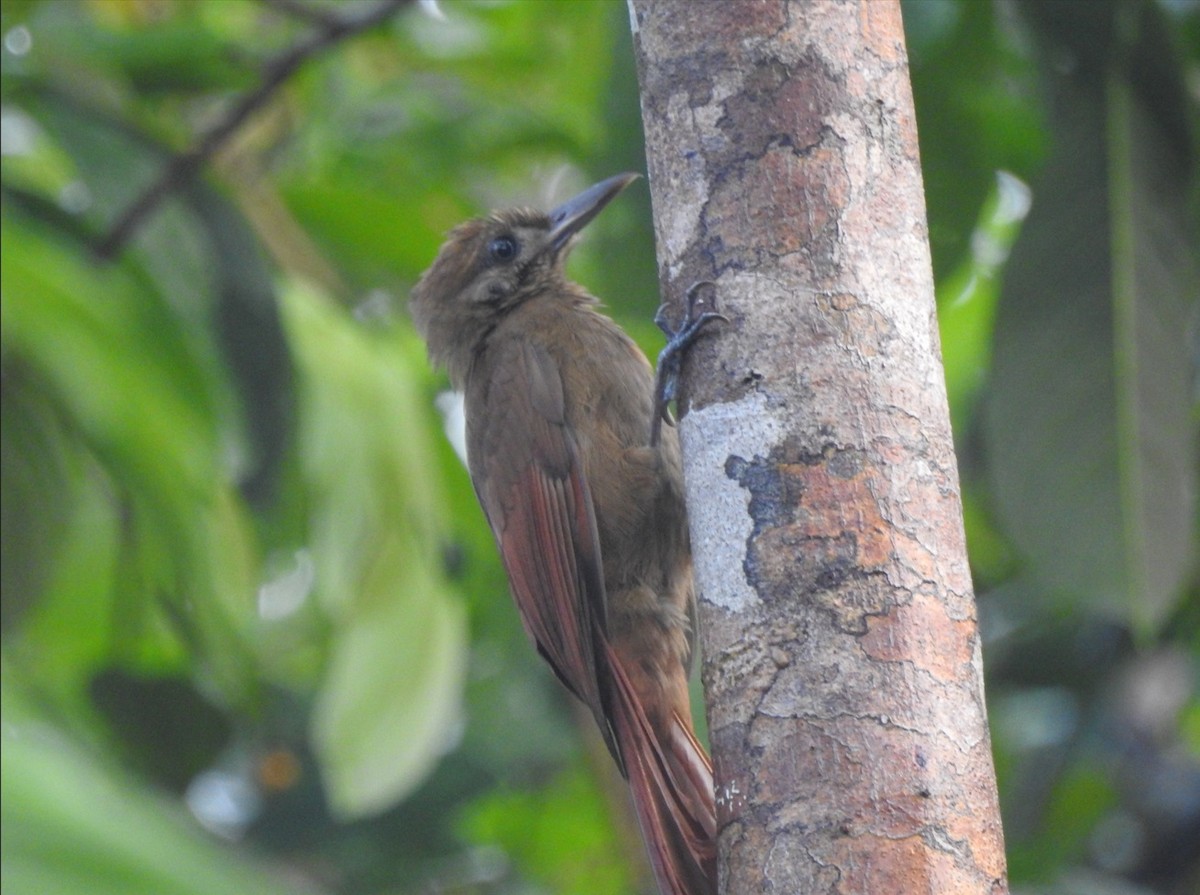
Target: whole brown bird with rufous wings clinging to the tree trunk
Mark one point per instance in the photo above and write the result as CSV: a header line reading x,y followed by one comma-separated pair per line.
x,y
586,507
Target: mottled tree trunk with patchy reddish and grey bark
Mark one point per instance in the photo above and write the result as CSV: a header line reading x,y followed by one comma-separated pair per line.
x,y
842,657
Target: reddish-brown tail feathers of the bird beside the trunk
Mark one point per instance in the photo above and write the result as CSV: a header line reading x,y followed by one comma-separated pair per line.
x,y
671,782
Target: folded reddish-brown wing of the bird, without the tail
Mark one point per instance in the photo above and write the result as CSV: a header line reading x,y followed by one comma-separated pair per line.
x,y
530,480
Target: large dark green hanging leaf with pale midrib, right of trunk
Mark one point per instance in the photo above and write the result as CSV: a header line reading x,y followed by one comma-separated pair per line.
x,y
1090,431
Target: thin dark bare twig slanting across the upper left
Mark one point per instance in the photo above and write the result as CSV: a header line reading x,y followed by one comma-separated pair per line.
x,y
184,166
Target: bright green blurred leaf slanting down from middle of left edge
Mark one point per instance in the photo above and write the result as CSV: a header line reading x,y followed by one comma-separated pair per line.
x,y
116,362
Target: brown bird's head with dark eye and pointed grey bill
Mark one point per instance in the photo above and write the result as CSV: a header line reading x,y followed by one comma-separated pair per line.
x,y
489,266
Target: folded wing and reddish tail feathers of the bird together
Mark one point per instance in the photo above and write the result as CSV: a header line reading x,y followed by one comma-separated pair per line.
x,y
530,479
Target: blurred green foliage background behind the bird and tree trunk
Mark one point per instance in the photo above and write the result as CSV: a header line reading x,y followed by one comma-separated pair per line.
x,y
245,582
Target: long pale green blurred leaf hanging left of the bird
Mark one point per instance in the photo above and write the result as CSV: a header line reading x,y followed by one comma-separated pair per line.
x,y
391,700
